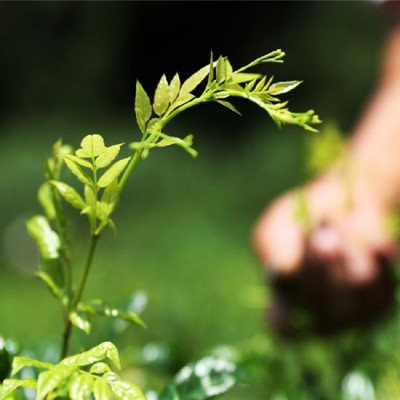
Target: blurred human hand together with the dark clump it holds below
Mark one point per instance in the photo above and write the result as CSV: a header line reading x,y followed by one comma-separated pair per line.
x,y
338,268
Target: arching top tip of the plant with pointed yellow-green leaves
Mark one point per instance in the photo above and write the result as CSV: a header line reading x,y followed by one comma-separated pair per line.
x,y
171,98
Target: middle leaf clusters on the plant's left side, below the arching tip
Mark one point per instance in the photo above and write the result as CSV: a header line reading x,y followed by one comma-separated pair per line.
x,y
98,201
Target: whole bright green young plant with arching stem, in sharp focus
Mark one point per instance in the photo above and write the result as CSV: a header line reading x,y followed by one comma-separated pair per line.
x,y
101,177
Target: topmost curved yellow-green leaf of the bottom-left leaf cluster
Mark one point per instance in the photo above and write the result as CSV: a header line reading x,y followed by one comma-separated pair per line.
x,y
94,355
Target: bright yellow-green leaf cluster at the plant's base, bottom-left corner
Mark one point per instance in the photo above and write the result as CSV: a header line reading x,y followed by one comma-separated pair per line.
x,y
76,377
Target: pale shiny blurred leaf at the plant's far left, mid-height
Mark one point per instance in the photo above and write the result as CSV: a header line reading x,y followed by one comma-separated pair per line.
x,y
46,239
